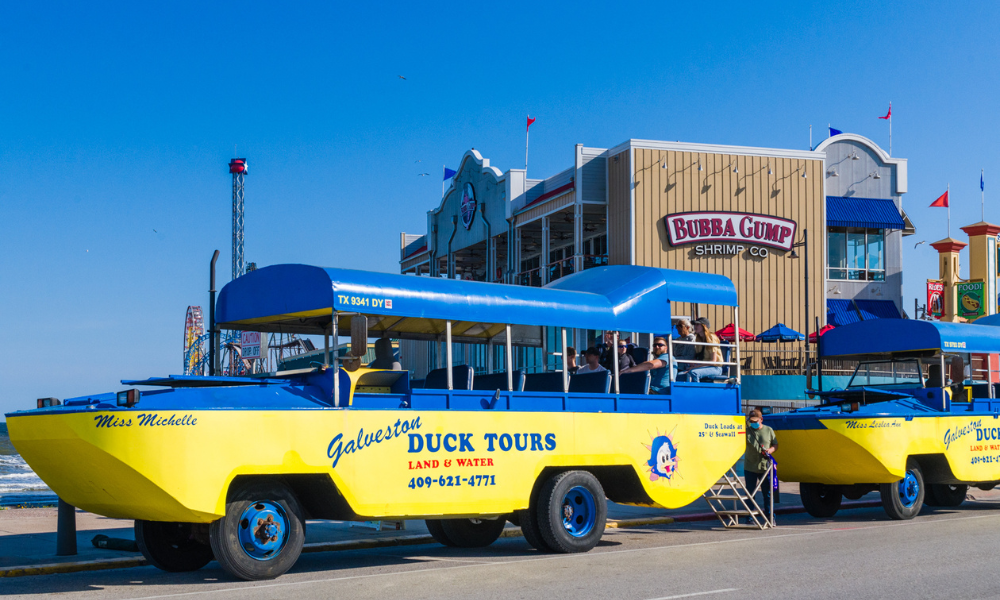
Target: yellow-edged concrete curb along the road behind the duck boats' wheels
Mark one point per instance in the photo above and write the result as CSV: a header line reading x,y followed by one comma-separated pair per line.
x,y
387,542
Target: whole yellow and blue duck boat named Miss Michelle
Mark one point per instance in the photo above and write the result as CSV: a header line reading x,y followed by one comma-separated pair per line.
x,y
231,467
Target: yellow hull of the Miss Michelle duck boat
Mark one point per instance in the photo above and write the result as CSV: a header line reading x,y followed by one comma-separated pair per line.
x,y
177,466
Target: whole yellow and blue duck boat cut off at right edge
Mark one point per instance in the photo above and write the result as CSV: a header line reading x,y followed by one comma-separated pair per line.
x,y
911,423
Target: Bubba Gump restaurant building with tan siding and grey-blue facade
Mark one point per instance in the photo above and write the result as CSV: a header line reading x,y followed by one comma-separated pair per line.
x,y
751,214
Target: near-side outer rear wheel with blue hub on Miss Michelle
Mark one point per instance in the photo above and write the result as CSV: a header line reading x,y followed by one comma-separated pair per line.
x,y
572,511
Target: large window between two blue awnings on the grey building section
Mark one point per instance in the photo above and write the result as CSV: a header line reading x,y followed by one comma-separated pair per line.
x,y
855,254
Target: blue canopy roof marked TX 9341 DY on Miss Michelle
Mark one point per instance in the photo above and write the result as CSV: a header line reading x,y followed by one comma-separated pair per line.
x,y
301,298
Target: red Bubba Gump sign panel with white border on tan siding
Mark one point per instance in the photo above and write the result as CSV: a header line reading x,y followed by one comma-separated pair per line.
x,y
733,227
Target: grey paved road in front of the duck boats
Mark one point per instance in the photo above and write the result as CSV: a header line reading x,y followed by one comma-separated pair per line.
x,y
860,554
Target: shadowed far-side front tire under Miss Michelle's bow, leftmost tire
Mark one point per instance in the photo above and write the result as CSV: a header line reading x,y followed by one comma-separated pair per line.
x,y
171,547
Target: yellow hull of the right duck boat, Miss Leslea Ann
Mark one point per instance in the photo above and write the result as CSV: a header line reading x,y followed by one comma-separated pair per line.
x,y
875,449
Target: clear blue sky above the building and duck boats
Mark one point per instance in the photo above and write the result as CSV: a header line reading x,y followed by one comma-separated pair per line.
x,y
117,121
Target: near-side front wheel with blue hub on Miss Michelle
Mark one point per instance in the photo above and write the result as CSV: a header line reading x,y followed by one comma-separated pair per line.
x,y
261,557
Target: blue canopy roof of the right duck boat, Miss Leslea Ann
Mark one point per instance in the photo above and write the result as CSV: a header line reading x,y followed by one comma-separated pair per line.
x,y
887,336
